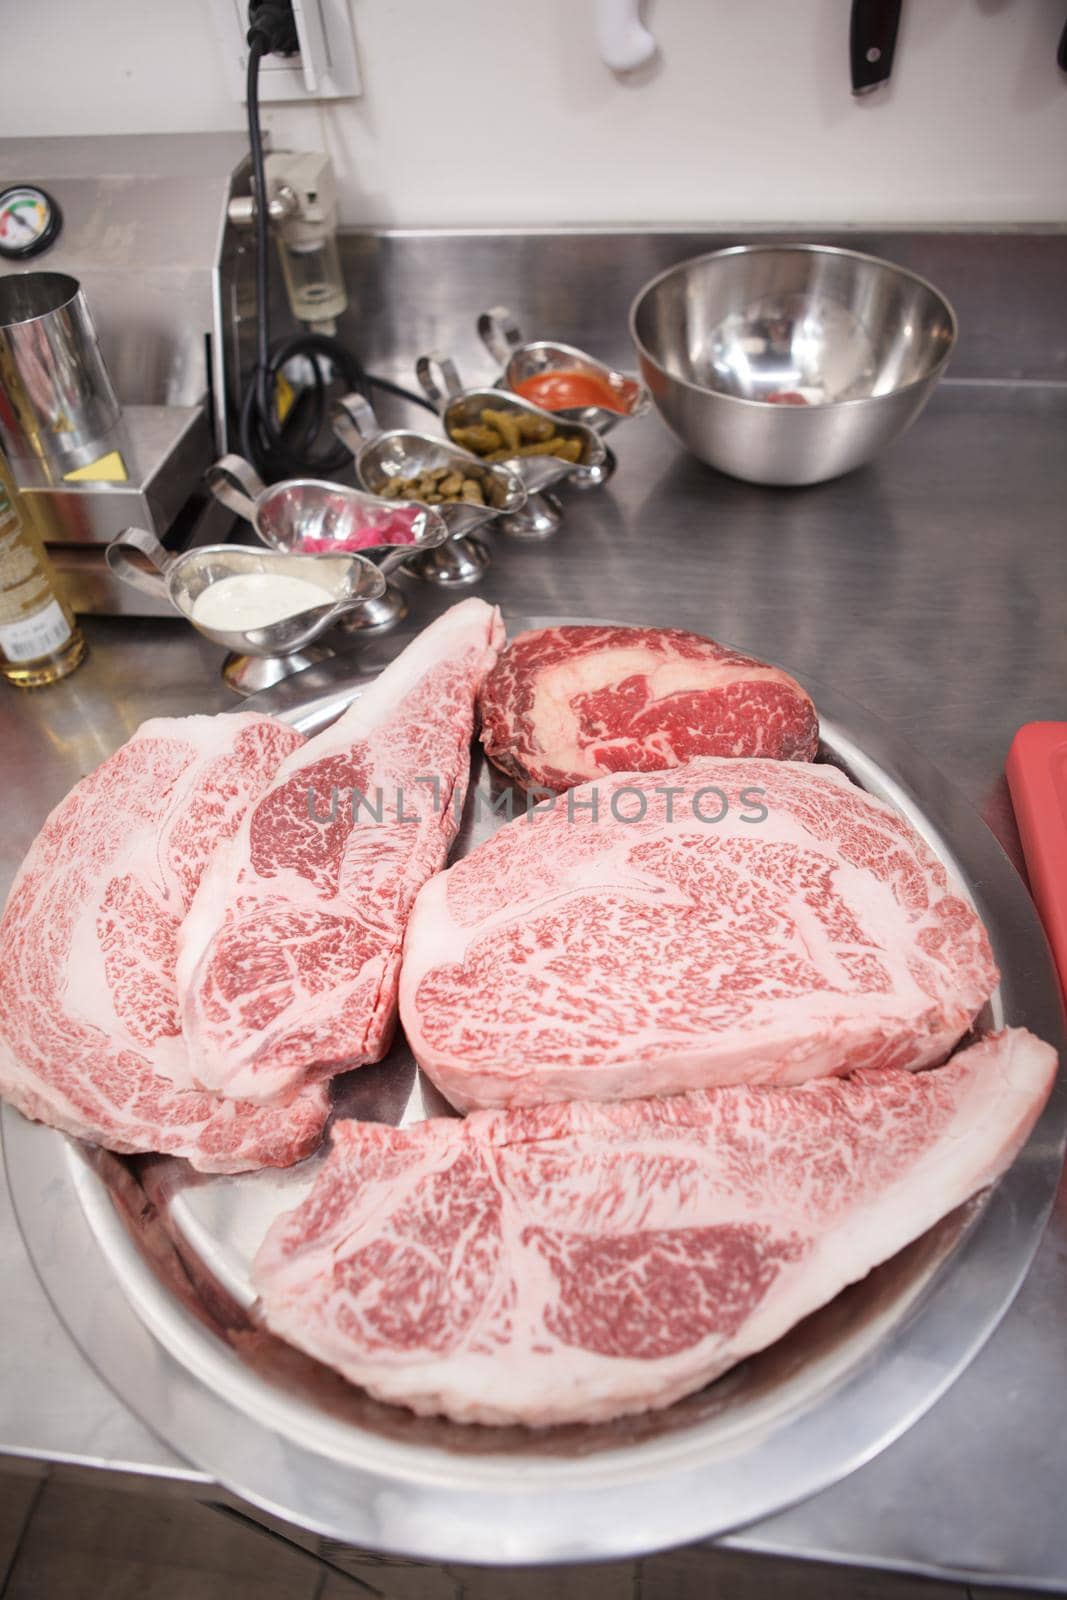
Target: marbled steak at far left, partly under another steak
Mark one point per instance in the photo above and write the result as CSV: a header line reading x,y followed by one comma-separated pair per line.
x,y
90,1038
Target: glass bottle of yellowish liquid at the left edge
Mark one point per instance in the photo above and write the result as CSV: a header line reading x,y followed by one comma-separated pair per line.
x,y
41,641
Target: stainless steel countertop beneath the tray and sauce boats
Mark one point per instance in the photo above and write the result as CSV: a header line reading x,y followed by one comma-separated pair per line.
x,y
930,586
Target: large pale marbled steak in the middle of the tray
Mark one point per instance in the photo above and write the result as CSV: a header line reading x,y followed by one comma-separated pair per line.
x,y
599,959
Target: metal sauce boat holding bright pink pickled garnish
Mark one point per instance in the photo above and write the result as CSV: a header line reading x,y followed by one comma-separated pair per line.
x,y
287,516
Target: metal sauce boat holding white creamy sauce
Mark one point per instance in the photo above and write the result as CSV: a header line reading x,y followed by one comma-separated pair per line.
x,y
263,655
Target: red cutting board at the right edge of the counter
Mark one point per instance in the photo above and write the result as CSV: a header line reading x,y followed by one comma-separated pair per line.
x,y
1037,777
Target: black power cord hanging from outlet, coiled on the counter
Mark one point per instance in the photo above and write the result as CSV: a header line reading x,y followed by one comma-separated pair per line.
x,y
274,450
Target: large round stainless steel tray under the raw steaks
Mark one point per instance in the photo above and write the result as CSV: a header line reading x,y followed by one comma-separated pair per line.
x,y
148,1266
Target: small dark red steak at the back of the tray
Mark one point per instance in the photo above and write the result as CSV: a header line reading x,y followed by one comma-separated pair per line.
x,y
565,705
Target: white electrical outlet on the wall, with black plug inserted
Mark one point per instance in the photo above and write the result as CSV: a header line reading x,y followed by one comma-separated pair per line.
x,y
327,66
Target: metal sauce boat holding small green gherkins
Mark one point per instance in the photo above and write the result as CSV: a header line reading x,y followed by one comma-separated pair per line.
x,y
462,407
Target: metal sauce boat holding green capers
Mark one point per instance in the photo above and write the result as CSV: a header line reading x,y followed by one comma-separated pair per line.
x,y
386,455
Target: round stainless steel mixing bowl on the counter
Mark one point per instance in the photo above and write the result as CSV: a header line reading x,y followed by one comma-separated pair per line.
x,y
791,364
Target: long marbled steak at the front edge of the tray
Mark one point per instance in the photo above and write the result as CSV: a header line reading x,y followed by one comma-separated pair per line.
x,y
577,1263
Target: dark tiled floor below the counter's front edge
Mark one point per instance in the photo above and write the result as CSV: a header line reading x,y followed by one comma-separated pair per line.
x,y
70,1538
